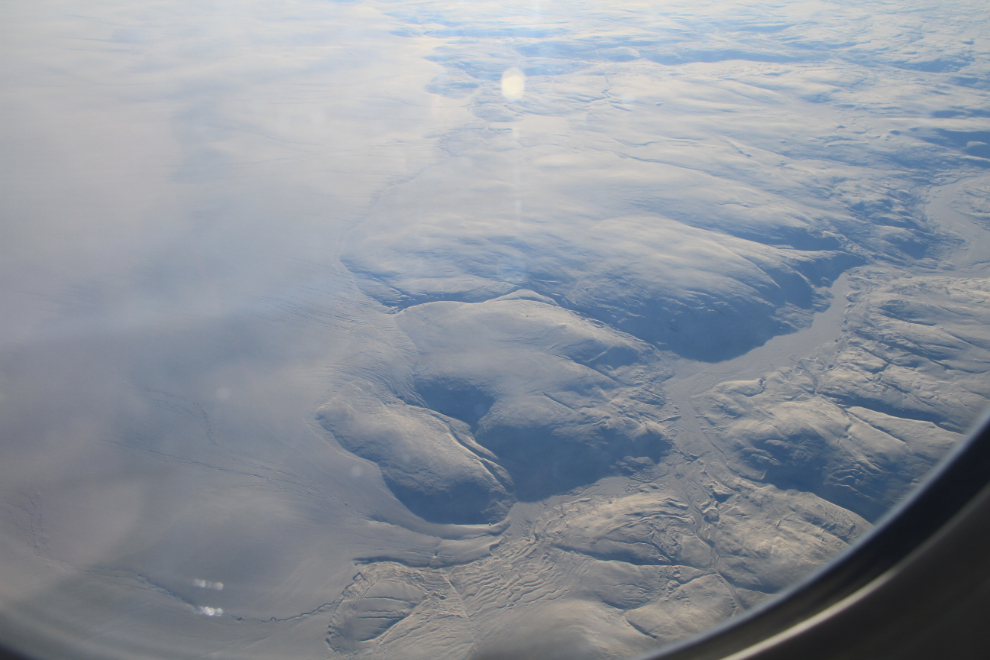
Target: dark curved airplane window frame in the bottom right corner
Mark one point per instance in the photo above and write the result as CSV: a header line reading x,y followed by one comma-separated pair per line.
x,y
916,586
